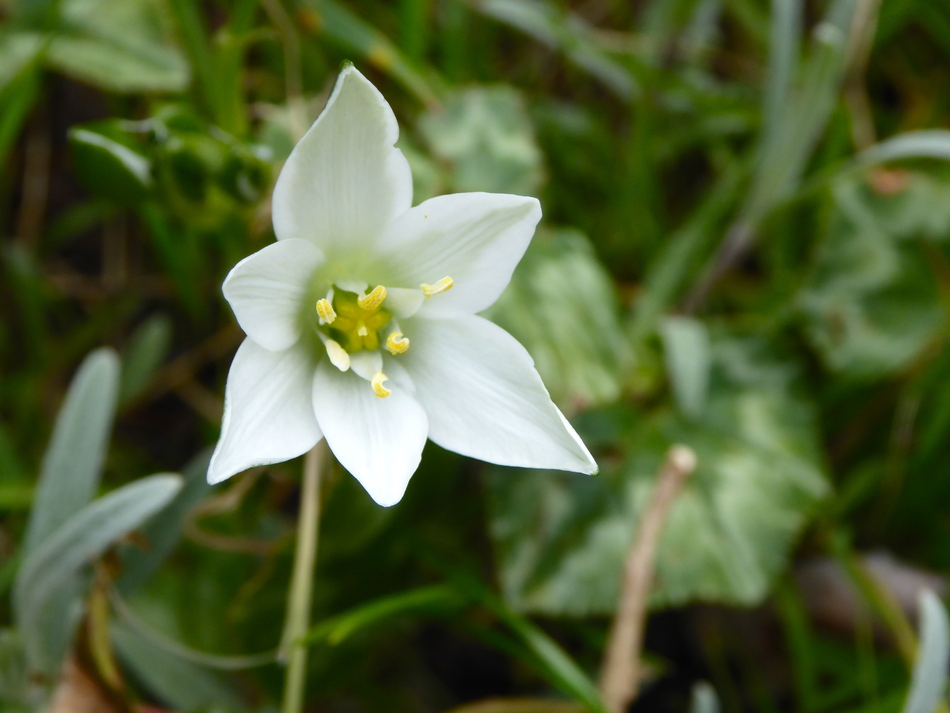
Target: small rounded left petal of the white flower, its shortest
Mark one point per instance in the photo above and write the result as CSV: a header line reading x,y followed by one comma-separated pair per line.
x,y
269,290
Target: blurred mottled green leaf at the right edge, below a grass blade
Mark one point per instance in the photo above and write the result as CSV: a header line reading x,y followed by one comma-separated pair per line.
x,y
871,305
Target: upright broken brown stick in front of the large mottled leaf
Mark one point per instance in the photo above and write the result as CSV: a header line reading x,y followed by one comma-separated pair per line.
x,y
620,672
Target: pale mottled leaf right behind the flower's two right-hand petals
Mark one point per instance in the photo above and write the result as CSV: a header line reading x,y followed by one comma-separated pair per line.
x,y
561,305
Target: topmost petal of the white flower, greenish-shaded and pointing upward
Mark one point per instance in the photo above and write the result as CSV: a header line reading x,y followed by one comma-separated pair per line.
x,y
344,182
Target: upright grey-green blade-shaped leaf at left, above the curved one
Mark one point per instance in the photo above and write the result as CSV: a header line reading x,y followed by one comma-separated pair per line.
x,y
72,465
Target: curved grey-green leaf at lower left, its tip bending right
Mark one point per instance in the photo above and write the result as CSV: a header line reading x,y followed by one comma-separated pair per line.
x,y
48,591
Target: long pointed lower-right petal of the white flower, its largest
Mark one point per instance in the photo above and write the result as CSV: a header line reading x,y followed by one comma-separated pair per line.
x,y
485,399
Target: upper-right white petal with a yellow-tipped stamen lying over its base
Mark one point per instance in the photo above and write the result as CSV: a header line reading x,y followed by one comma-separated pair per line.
x,y
477,239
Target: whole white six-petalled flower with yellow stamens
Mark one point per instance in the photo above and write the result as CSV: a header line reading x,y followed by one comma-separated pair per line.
x,y
361,319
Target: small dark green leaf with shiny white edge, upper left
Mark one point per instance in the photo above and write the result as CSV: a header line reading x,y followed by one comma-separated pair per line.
x,y
109,164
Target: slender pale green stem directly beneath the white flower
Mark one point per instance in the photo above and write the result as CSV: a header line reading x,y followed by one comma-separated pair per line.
x,y
293,650
